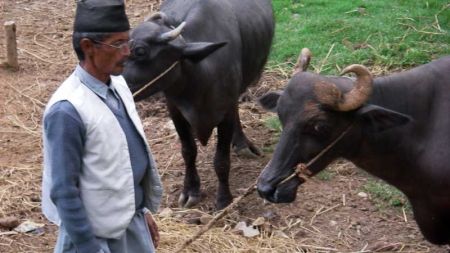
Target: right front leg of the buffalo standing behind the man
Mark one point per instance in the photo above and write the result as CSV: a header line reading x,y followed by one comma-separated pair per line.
x,y
222,161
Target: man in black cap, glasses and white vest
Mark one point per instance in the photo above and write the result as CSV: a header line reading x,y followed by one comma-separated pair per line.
x,y
100,181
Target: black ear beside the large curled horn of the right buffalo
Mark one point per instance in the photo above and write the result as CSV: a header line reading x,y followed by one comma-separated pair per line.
x,y
378,119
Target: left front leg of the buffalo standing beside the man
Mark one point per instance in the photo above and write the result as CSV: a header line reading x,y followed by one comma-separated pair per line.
x,y
190,195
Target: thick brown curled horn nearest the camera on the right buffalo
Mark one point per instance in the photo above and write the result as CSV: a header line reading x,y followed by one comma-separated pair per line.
x,y
361,90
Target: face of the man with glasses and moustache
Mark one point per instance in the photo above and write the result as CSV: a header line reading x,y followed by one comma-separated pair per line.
x,y
111,53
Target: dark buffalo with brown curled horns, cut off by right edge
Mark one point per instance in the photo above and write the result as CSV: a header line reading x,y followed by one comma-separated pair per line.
x,y
395,127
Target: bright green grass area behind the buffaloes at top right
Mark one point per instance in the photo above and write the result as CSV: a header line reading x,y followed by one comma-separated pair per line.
x,y
392,34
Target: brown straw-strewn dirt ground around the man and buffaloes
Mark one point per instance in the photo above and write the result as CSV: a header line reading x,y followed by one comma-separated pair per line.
x,y
328,215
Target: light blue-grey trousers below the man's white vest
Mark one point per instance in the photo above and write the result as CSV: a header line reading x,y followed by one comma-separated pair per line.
x,y
136,239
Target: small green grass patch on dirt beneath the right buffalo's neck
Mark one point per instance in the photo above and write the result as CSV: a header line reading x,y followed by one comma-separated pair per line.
x,y
385,195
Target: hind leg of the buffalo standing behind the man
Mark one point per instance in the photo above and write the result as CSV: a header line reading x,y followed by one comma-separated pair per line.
x,y
241,145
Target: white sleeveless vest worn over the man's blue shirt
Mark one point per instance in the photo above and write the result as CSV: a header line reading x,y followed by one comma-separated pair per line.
x,y
106,180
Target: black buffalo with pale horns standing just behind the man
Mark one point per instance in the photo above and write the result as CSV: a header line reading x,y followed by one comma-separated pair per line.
x,y
205,54
